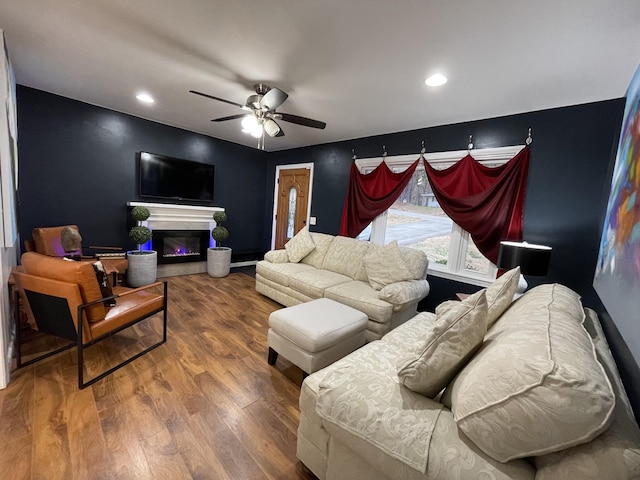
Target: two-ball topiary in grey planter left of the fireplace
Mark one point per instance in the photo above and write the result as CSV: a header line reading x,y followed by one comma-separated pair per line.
x,y
143,264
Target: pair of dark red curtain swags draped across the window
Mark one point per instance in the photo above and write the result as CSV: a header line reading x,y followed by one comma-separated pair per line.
x,y
487,202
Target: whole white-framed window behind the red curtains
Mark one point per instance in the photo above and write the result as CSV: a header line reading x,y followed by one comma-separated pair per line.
x,y
416,220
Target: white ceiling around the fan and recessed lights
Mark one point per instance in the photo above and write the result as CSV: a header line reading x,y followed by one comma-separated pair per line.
x,y
358,65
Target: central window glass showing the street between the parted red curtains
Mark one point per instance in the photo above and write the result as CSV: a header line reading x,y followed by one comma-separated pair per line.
x,y
416,220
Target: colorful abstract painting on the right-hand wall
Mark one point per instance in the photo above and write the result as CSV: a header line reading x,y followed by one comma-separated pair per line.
x,y
617,277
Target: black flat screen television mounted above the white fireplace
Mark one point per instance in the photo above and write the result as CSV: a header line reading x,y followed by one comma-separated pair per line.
x,y
174,178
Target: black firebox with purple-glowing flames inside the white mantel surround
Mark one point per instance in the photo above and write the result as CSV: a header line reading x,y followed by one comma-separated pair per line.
x,y
180,246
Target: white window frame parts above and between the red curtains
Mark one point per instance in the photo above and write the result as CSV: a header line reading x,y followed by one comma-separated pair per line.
x,y
458,247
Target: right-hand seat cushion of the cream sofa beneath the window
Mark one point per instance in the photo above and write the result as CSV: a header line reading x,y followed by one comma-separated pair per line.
x,y
361,296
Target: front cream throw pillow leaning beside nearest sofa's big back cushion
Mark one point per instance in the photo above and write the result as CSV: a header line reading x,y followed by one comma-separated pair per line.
x,y
456,334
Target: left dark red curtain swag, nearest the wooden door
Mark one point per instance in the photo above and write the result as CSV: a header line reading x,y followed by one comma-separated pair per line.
x,y
371,194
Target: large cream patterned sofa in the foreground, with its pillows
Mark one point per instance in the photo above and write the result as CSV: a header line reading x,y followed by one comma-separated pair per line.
x,y
537,397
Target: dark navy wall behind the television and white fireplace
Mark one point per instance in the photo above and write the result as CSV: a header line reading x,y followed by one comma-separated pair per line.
x,y
77,165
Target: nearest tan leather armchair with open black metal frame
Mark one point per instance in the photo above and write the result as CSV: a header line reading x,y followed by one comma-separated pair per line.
x,y
63,298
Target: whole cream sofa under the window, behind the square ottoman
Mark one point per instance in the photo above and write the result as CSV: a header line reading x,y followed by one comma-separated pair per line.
x,y
384,282
